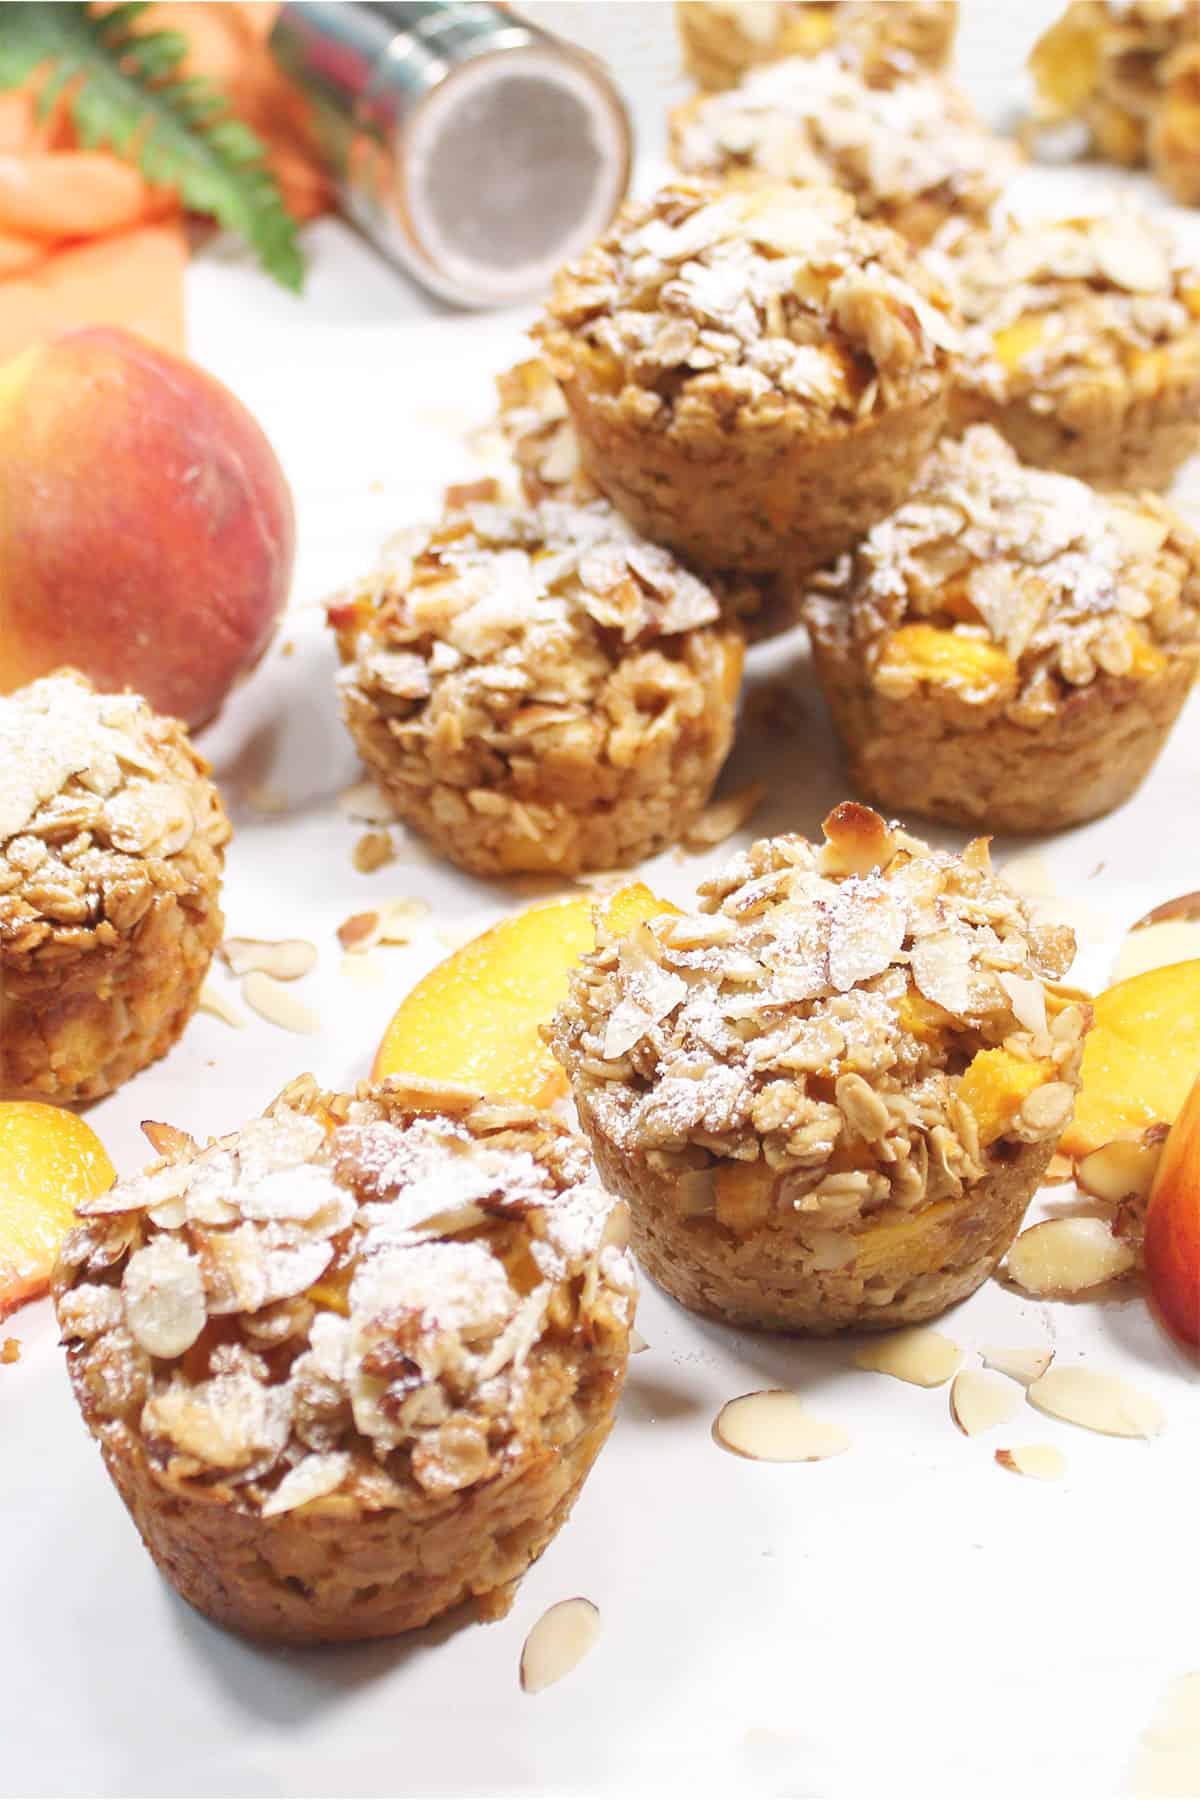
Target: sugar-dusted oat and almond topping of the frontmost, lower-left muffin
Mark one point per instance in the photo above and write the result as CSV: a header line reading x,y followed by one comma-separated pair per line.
x,y
390,1299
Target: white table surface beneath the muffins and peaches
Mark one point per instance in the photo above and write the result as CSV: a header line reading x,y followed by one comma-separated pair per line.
x,y
906,1619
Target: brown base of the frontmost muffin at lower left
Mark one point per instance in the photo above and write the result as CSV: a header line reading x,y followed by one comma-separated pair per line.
x,y
337,1574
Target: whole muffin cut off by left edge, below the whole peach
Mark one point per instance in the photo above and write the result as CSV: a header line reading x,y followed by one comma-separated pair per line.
x,y
112,845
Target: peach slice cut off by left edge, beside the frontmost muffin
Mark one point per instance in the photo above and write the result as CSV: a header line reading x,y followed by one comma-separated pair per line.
x,y
49,1160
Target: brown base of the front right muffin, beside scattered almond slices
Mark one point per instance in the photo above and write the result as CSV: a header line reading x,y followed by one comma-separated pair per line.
x,y
767,1281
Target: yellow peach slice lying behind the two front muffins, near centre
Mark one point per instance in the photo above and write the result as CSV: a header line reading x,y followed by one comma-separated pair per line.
x,y
476,1018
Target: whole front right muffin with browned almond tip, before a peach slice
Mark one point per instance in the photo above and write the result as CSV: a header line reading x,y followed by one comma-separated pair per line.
x,y
830,1093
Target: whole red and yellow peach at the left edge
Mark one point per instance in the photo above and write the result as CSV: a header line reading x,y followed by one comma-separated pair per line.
x,y
147,528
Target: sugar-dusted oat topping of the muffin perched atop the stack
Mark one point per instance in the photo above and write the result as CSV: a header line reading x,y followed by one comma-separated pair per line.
x,y
746,305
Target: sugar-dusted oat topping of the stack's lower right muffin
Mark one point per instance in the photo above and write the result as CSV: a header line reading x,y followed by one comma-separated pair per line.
x,y
1070,586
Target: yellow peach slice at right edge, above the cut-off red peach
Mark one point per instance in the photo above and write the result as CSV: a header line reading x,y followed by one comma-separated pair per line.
x,y
1140,1057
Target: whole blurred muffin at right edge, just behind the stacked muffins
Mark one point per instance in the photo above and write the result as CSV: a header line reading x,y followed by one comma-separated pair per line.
x,y
1082,345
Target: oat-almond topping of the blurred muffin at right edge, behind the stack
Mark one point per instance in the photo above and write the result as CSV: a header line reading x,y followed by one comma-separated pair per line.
x,y
1075,316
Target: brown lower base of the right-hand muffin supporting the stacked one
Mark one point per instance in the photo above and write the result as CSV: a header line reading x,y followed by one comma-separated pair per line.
x,y
940,759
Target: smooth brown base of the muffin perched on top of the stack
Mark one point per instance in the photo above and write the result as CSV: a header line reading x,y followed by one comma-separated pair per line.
x,y
758,499
